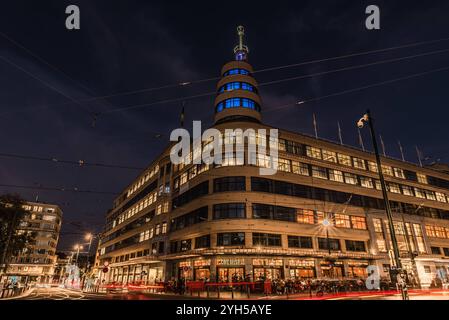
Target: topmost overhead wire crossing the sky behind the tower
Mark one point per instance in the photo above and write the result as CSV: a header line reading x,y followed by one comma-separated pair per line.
x,y
187,83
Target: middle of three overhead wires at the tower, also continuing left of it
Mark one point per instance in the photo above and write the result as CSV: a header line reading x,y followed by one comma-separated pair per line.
x,y
317,74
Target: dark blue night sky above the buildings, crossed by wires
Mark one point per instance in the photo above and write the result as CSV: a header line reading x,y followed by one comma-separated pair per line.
x,y
45,70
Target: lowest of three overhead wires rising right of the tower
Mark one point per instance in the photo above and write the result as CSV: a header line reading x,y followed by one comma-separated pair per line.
x,y
377,84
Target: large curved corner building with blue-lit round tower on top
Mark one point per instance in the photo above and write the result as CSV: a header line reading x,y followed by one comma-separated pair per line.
x,y
320,216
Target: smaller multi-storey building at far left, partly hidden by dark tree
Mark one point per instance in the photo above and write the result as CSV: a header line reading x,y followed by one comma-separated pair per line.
x,y
37,262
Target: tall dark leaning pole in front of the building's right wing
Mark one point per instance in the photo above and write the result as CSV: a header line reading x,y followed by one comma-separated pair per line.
x,y
397,258
